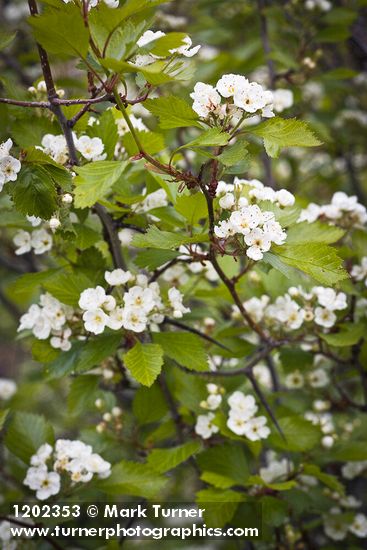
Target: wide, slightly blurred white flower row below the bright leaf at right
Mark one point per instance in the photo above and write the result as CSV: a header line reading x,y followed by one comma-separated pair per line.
x,y
318,305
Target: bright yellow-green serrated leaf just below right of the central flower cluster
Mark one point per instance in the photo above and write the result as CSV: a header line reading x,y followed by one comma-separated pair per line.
x,y
316,259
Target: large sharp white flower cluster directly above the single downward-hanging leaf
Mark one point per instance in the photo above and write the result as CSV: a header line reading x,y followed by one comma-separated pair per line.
x,y
141,305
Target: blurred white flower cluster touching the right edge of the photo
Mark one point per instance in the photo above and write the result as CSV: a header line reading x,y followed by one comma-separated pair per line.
x,y
342,210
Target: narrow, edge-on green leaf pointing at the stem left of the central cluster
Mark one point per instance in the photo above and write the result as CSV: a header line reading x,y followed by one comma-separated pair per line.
x,y
155,238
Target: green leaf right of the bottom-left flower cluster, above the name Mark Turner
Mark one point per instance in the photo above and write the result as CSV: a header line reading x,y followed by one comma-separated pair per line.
x,y
133,478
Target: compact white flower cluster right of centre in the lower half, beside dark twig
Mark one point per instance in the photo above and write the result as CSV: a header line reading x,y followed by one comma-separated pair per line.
x,y
242,419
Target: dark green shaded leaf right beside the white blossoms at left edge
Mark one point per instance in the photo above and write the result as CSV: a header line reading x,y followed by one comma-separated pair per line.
x,y
34,193
